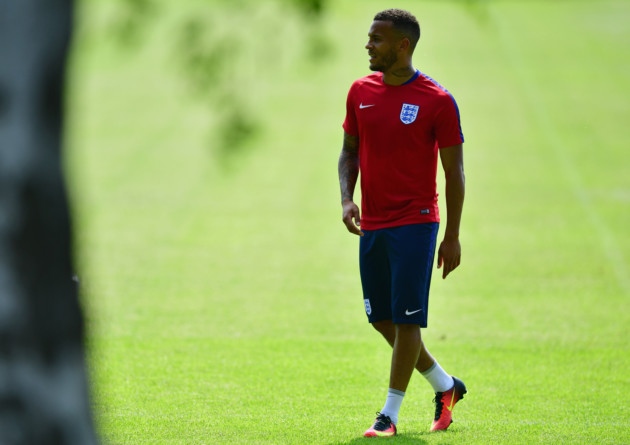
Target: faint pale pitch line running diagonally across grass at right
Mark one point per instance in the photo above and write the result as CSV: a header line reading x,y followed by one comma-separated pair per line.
x,y
569,170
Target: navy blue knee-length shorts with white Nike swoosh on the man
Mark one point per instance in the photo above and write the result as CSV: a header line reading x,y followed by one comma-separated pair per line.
x,y
396,265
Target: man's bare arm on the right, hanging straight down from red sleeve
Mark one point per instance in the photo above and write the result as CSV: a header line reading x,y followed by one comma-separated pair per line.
x,y
449,253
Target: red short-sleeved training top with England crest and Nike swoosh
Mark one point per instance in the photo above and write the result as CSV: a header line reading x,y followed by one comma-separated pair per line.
x,y
400,129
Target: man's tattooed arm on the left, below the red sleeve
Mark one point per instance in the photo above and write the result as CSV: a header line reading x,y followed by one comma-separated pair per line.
x,y
348,169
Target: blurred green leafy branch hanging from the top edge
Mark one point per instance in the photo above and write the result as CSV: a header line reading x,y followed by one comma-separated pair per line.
x,y
210,53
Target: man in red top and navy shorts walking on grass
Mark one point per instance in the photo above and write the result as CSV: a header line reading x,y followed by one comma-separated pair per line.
x,y
397,121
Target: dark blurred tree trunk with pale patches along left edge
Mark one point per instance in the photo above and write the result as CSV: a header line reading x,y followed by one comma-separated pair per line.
x,y
43,385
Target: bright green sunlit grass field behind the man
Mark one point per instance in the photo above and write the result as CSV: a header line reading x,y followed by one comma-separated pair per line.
x,y
225,308
